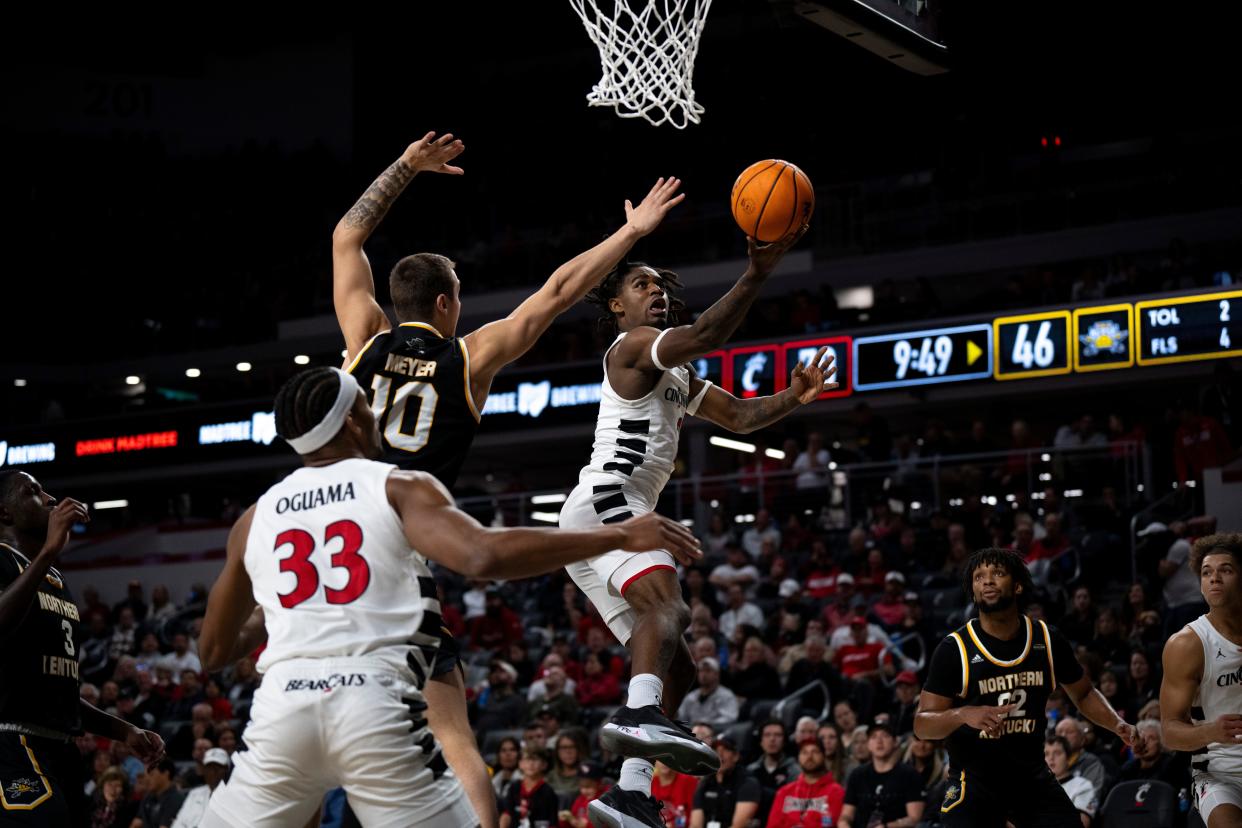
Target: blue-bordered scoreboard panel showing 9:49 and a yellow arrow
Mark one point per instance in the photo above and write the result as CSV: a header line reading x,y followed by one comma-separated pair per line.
x,y
923,358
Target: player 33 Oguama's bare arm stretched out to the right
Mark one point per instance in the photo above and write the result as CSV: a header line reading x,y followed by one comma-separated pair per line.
x,y
445,534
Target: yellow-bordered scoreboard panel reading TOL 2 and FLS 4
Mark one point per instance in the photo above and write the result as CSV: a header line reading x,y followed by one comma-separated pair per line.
x,y
1189,328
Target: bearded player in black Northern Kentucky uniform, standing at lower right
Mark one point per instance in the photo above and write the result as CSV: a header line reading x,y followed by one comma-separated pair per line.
x,y
987,692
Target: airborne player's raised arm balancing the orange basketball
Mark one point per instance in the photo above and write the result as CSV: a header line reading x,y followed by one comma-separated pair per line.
x,y
715,326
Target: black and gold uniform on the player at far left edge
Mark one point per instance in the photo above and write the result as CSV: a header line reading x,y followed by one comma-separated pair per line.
x,y
42,781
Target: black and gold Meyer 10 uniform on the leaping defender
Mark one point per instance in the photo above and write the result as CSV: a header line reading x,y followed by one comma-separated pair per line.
x,y
418,384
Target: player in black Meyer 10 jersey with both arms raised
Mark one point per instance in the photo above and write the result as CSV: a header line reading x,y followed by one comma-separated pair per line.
x,y
428,387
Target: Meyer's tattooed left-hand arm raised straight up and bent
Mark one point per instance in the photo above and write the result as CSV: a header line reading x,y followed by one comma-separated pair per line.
x,y
353,286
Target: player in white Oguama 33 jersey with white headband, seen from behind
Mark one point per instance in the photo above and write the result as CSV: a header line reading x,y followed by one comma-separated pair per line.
x,y
336,556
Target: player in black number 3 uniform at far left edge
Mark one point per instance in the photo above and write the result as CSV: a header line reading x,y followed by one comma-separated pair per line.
x,y
42,774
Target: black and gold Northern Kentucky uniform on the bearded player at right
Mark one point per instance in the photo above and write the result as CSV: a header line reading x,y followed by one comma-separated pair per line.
x,y
999,780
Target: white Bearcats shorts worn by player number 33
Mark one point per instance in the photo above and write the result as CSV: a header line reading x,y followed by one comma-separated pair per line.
x,y
319,724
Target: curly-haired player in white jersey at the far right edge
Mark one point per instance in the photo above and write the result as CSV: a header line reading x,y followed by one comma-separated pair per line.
x,y
1202,692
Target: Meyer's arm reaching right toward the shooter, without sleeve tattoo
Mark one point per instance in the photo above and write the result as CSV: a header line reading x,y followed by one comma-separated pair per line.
x,y
497,344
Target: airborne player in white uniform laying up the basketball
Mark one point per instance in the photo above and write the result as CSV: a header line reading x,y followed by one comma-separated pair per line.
x,y
648,390
